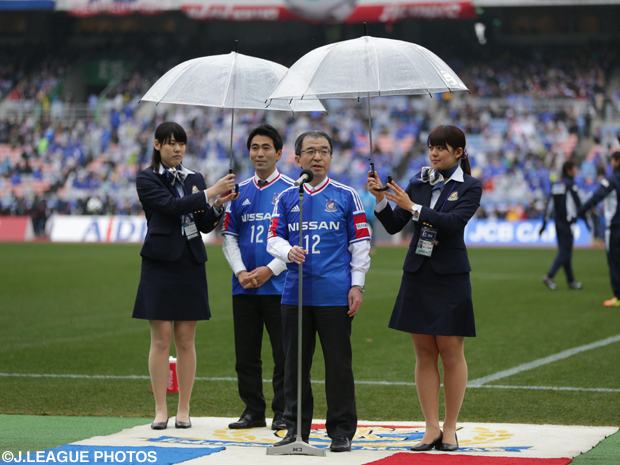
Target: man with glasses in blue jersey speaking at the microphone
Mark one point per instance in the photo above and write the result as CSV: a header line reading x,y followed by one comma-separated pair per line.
x,y
335,257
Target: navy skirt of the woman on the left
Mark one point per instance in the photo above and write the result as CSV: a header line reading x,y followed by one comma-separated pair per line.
x,y
173,291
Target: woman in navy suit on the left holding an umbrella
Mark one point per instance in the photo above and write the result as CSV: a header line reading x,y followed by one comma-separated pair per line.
x,y
172,293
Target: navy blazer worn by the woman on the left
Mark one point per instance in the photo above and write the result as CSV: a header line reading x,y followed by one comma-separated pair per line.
x,y
164,239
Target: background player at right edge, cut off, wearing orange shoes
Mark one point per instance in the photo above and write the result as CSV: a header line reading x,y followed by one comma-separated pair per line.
x,y
608,192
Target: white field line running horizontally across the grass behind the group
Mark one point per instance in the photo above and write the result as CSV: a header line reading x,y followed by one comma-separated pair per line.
x,y
314,381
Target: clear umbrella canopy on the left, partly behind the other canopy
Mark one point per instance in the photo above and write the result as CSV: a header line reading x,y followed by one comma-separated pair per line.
x,y
225,81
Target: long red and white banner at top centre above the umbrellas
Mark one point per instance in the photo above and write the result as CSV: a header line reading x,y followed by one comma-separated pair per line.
x,y
328,11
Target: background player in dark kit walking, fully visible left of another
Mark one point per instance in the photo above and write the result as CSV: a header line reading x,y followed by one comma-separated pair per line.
x,y
563,204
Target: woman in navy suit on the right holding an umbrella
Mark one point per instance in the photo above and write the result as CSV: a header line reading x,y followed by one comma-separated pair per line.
x,y
434,302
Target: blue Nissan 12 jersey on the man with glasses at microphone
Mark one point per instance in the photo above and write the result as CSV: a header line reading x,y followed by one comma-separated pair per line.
x,y
333,219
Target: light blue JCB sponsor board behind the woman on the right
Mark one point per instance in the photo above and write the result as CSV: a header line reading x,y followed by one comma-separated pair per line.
x,y
520,233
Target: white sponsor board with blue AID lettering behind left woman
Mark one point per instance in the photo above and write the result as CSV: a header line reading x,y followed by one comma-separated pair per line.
x,y
129,229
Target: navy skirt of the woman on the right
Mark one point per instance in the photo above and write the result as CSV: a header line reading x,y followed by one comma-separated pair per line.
x,y
434,304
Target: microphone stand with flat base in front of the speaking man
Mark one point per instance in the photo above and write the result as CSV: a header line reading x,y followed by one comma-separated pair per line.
x,y
298,447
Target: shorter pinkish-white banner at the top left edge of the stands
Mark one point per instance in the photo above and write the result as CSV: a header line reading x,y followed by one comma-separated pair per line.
x,y
115,7
